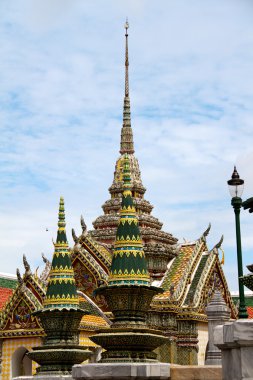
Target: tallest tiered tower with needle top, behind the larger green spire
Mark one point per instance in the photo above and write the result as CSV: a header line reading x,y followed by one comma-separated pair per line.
x,y
159,246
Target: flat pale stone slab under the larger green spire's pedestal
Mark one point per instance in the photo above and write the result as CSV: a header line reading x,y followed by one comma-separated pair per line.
x,y
121,371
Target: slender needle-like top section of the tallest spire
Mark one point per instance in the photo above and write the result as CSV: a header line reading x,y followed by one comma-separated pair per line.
x,y
126,142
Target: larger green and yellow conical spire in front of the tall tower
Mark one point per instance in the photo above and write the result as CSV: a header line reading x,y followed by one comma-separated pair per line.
x,y
128,263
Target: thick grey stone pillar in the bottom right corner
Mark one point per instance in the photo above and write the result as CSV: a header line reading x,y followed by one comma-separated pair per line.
x,y
235,339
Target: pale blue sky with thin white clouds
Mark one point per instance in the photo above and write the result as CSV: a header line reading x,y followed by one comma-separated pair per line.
x,y
61,95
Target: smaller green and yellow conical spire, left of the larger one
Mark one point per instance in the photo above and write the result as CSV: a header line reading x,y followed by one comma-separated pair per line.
x,y
61,290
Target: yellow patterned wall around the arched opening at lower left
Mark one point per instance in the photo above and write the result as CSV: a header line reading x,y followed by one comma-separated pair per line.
x,y
10,346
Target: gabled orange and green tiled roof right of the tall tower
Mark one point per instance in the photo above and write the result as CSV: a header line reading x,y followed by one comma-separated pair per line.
x,y
191,280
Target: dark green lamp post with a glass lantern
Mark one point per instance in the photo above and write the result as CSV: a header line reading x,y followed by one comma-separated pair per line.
x,y
235,185
